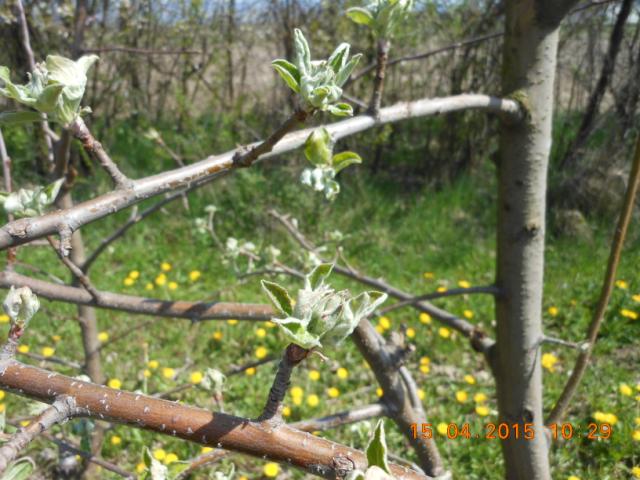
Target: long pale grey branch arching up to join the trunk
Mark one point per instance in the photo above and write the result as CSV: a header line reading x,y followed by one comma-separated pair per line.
x,y
27,229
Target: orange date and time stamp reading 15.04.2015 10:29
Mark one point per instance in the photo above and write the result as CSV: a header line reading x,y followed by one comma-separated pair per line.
x,y
516,431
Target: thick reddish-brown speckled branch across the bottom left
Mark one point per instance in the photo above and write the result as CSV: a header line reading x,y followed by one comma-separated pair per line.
x,y
281,444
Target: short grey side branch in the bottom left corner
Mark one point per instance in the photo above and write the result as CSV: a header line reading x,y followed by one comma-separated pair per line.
x,y
60,410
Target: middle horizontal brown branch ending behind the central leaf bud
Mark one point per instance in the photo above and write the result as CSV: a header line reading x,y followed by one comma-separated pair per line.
x,y
195,311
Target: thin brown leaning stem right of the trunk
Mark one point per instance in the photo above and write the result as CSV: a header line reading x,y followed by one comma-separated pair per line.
x,y
605,294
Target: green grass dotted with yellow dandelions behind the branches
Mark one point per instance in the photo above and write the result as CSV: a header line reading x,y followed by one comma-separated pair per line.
x,y
418,240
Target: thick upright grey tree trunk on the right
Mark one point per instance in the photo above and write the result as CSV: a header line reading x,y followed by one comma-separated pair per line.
x,y
528,71
